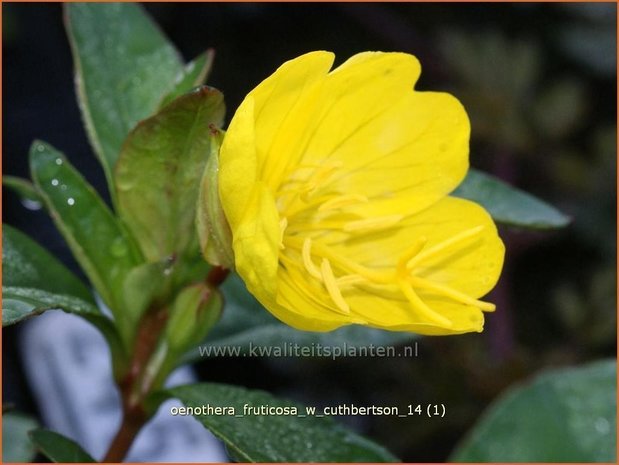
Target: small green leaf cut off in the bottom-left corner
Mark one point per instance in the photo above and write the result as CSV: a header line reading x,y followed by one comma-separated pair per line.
x,y
16,445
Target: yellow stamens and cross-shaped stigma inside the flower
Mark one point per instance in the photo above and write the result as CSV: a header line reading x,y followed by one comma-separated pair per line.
x,y
310,206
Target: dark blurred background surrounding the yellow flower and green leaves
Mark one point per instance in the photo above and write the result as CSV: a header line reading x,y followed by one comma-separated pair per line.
x,y
539,83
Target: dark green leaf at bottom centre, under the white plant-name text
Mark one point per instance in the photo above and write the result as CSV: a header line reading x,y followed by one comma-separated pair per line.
x,y
276,438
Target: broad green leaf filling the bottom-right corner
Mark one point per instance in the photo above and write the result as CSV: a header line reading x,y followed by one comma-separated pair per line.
x,y
566,415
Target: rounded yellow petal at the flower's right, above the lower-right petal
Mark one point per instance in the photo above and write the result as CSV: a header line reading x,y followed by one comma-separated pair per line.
x,y
418,153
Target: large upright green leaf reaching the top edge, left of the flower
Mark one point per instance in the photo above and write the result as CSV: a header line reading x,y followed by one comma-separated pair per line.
x,y
124,66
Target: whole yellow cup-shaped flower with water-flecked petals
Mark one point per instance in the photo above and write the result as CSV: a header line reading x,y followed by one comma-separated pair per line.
x,y
335,187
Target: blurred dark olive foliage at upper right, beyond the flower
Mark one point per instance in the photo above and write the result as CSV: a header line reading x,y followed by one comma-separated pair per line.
x,y
500,82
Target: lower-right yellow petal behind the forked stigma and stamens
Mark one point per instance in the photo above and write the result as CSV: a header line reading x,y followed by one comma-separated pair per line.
x,y
471,265
